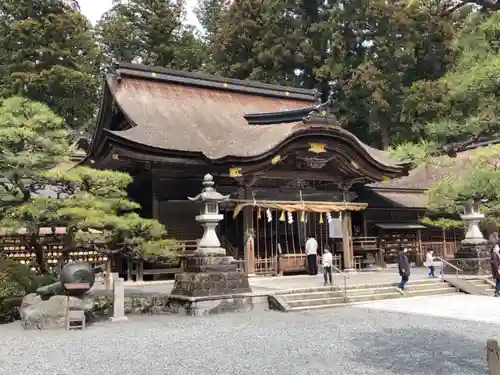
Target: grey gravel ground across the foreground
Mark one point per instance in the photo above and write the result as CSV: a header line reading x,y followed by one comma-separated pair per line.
x,y
344,341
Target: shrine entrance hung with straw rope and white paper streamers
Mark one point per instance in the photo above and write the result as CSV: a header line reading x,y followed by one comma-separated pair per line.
x,y
276,233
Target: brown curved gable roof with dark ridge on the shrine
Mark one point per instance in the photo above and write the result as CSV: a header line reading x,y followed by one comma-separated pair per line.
x,y
189,112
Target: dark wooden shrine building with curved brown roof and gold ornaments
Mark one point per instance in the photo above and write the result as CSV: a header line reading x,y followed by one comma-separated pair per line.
x,y
290,168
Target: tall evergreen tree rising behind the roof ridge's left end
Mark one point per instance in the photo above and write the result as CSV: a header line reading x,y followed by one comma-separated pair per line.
x,y
151,32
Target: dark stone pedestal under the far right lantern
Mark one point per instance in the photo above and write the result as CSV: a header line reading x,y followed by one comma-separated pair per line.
x,y
472,259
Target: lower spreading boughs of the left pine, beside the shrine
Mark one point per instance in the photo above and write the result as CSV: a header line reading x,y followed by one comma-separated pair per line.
x,y
93,205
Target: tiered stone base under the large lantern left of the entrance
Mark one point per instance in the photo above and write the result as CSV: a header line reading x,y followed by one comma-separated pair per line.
x,y
210,275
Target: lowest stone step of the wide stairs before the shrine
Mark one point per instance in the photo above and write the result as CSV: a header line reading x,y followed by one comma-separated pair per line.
x,y
339,301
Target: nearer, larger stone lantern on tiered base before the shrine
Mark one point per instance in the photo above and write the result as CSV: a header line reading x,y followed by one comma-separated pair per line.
x,y
208,271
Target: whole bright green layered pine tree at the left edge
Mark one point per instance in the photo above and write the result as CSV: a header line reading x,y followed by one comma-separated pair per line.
x,y
92,204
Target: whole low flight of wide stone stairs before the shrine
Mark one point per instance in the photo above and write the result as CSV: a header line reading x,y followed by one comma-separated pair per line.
x,y
325,297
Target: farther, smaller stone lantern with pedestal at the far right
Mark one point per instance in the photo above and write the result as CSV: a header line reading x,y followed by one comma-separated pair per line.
x,y
473,255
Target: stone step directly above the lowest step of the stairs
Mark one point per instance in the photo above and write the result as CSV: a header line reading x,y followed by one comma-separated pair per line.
x,y
362,291
